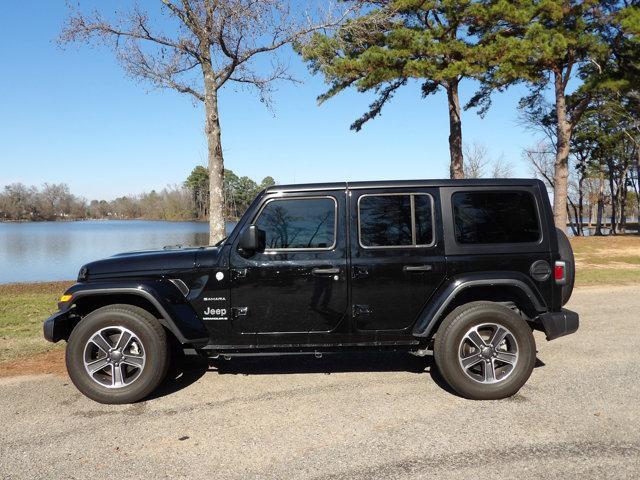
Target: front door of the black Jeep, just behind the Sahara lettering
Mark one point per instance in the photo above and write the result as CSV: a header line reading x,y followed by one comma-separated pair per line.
x,y
298,284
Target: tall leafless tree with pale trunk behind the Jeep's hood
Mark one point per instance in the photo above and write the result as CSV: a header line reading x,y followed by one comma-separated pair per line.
x,y
205,45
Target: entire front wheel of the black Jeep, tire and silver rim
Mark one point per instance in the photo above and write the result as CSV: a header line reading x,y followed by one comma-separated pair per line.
x,y
138,346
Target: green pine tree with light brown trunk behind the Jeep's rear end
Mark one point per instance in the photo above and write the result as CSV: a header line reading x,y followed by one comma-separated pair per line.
x,y
542,43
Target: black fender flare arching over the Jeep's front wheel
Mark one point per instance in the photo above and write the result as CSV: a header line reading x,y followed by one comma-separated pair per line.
x,y
175,312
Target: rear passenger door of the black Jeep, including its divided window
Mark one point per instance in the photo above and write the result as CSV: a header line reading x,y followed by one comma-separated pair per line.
x,y
397,257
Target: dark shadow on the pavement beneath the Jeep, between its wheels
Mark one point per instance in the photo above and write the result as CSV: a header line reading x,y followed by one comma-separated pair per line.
x,y
187,370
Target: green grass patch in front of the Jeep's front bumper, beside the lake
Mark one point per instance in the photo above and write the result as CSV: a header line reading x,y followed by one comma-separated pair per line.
x,y
23,308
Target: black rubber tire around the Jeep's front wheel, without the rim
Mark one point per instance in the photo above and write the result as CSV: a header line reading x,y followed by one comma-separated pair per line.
x,y
154,346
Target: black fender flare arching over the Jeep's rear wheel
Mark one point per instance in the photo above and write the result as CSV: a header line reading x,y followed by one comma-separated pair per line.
x,y
432,312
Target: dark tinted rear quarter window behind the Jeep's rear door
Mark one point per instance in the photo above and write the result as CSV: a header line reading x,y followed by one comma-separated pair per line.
x,y
490,217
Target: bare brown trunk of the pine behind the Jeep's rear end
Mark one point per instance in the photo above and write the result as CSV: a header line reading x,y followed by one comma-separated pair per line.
x,y
561,170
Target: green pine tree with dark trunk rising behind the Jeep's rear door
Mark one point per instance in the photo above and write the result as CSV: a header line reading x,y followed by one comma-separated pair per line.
x,y
394,42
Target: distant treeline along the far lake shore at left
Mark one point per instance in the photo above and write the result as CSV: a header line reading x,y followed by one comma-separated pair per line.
x,y
189,201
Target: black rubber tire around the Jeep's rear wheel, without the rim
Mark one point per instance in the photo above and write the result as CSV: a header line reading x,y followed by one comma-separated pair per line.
x,y
457,324
